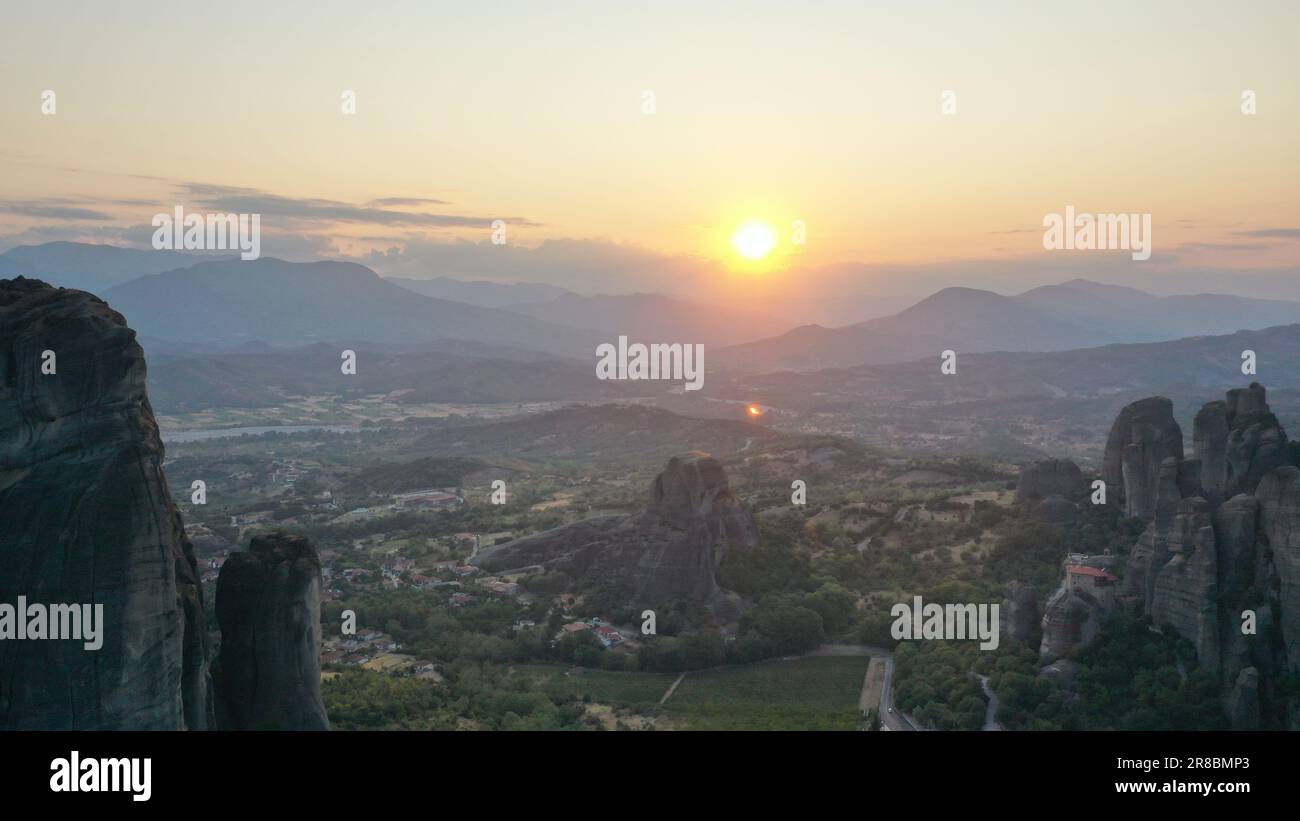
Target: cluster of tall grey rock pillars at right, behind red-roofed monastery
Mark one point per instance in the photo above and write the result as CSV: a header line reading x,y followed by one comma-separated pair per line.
x,y
1221,548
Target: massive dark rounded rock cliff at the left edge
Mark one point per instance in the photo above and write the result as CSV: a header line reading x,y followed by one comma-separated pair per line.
x,y
86,519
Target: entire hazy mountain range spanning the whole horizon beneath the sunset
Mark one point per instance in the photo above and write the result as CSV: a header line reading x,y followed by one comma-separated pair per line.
x,y
188,309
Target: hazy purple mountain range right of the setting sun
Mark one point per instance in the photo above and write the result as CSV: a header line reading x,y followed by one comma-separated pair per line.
x,y
1073,315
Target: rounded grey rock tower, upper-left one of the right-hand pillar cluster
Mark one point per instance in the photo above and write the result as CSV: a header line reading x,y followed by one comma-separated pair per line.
x,y
1143,437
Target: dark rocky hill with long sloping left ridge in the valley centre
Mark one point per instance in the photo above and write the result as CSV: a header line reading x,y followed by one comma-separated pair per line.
x,y
670,551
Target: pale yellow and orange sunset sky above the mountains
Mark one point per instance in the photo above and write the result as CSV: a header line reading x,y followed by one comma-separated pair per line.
x,y
530,112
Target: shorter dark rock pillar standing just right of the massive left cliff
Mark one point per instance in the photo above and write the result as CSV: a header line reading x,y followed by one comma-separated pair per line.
x,y
268,606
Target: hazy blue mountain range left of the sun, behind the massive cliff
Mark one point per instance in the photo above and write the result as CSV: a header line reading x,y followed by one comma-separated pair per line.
x,y
184,305
